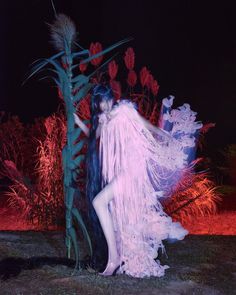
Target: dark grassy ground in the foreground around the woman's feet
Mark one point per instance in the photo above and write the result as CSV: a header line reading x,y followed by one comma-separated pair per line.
x,y
35,263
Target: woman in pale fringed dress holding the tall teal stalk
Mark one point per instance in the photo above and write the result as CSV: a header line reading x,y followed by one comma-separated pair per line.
x,y
139,164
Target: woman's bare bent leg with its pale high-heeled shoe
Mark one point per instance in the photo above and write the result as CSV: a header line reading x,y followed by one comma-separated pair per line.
x,y
100,204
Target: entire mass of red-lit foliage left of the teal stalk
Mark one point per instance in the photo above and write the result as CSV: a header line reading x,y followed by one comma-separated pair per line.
x,y
36,187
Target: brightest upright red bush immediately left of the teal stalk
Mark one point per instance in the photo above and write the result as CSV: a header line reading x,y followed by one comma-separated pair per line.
x,y
49,170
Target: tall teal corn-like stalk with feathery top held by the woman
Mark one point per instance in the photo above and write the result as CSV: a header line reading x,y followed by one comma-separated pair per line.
x,y
72,86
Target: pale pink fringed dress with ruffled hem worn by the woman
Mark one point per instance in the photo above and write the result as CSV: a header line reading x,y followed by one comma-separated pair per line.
x,y
145,168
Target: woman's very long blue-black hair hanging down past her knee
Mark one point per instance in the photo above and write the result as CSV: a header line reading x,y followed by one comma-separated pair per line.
x,y
93,184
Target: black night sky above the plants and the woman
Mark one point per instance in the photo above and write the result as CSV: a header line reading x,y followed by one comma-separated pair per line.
x,y
189,46
